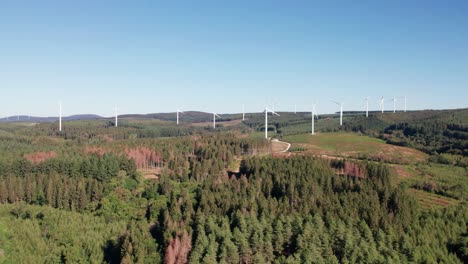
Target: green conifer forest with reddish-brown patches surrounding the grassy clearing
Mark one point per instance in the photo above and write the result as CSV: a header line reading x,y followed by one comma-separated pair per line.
x,y
150,191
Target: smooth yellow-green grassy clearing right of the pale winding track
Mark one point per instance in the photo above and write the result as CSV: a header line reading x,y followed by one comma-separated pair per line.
x,y
353,145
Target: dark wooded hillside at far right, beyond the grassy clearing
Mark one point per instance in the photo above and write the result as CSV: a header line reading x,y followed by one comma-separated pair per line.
x,y
432,131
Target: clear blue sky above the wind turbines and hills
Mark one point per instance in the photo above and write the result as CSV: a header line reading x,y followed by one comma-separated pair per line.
x,y
155,56
